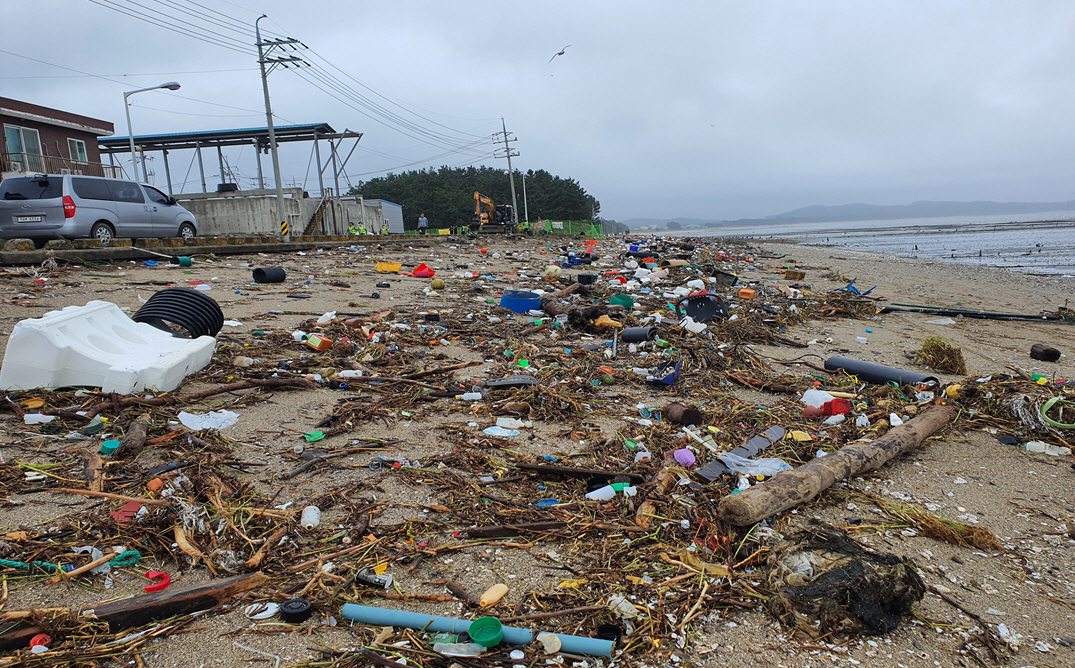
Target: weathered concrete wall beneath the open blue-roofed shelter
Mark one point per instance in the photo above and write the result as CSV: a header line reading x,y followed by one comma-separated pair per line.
x,y
248,212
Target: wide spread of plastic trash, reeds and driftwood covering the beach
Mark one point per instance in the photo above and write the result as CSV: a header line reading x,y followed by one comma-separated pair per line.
x,y
582,428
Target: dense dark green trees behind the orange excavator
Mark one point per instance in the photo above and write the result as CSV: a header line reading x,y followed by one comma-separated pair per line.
x,y
447,195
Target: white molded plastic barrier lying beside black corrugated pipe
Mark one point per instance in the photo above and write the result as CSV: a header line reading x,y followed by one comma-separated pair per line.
x,y
98,346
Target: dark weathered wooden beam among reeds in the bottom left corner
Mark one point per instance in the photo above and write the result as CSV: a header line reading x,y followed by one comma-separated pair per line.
x,y
140,610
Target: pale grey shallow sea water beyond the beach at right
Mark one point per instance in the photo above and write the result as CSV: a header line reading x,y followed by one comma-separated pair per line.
x,y
1039,244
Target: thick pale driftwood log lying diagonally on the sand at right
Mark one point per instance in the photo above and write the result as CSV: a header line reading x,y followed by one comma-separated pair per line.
x,y
791,489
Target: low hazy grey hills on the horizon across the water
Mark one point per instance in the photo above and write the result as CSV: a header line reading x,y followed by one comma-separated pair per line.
x,y
841,214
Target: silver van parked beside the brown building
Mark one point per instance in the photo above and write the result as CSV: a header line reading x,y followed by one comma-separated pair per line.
x,y
67,206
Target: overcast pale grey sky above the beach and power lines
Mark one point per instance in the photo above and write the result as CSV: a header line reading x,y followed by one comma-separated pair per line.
x,y
710,110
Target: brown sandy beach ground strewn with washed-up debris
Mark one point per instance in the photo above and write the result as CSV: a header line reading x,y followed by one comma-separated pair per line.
x,y
462,478
